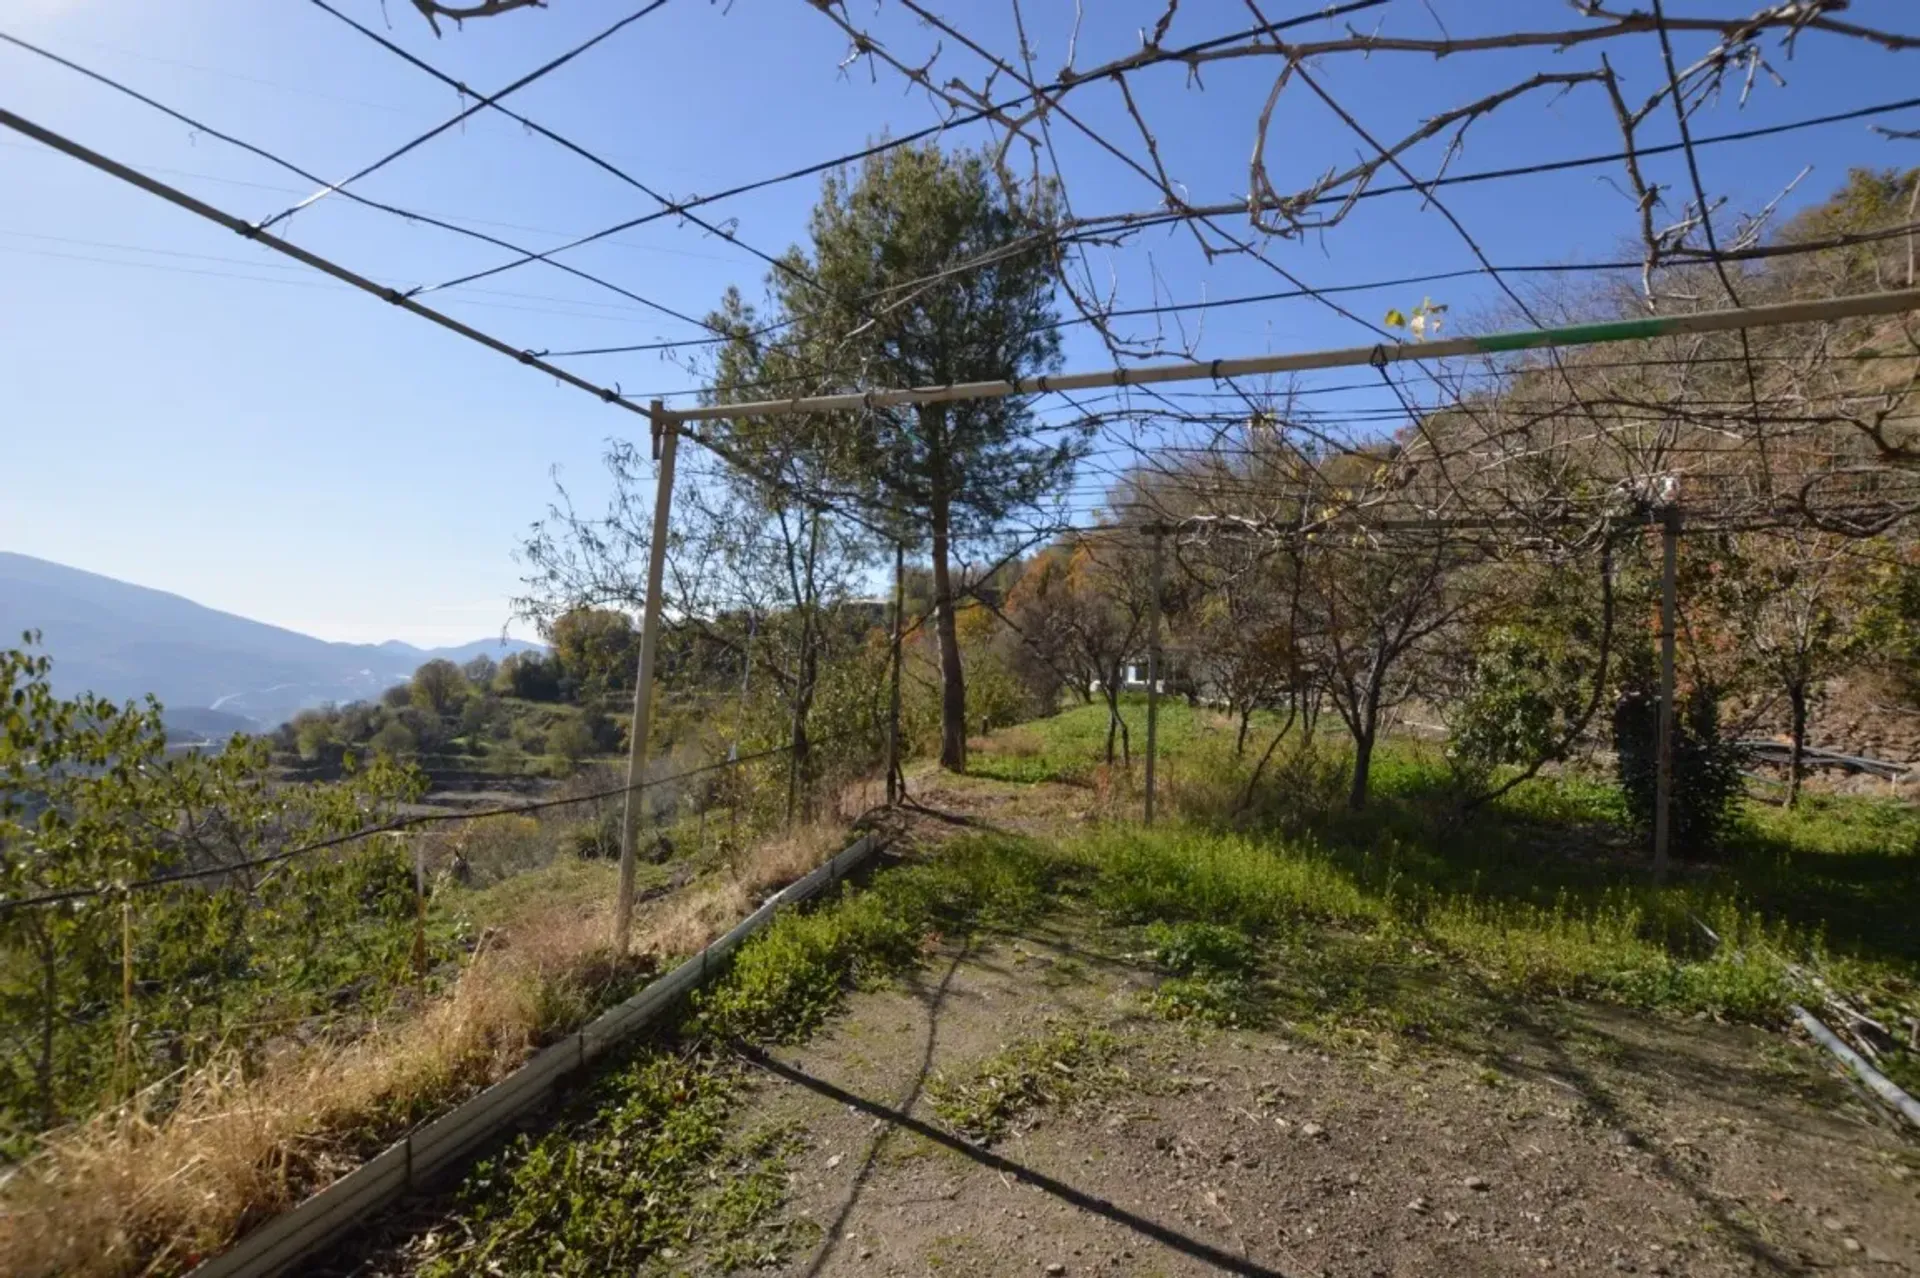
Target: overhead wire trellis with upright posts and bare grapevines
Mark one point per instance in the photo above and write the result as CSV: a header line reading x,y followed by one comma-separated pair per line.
x,y
1485,427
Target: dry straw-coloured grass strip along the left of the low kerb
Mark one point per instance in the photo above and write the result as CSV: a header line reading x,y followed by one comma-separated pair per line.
x,y
137,1195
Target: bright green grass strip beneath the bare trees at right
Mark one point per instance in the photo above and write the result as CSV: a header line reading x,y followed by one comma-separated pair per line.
x,y
1541,893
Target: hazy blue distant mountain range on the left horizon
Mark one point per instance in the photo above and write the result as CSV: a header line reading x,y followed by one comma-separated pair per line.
x,y
212,671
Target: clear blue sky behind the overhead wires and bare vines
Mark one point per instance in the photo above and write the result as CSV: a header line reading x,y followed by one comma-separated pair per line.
x,y
185,410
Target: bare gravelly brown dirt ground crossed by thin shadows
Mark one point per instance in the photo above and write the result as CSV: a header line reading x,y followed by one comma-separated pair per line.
x,y
1572,1141
